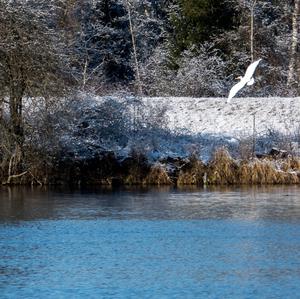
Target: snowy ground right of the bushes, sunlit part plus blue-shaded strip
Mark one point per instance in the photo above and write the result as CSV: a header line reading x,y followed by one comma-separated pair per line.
x,y
205,124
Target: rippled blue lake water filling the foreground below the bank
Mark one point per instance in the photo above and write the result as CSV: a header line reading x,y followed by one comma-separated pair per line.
x,y
152,243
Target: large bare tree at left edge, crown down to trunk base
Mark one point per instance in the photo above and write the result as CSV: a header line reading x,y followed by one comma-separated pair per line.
x,y
32,66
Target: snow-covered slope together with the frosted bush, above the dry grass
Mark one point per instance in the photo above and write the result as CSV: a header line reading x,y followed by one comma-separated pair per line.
x,y
176,127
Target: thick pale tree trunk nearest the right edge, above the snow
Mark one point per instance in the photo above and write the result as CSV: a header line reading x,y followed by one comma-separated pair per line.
x,y
292,78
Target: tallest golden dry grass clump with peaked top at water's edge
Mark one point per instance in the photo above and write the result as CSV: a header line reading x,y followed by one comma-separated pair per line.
x,y
222,170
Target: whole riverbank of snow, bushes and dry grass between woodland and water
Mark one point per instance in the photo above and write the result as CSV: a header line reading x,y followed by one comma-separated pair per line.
x,y
125,140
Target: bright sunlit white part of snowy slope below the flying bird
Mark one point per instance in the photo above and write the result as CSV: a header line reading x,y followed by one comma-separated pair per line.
x,y
214,116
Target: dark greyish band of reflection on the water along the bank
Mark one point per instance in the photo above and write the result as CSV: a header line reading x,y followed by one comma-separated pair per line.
x,y
279,203
